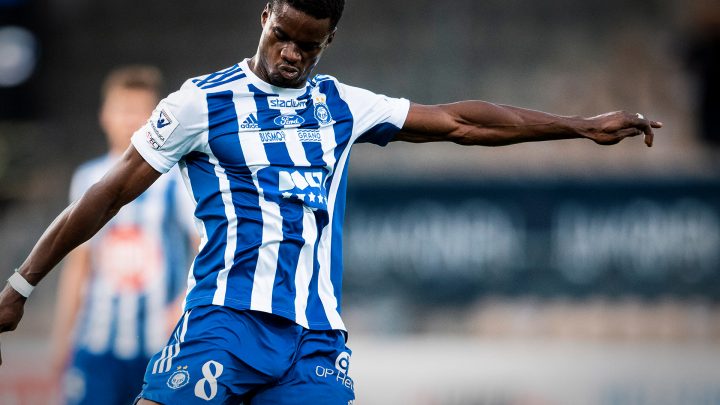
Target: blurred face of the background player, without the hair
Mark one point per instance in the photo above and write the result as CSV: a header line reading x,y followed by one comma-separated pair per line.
x,y
123,112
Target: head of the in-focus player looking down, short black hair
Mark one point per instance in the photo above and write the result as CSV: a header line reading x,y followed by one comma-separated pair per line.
x,y
295,34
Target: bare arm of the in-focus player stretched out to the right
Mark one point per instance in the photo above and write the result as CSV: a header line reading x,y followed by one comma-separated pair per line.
x,y
483,123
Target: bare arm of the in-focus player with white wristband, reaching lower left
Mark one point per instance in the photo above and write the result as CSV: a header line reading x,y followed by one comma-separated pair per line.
x,y
76,224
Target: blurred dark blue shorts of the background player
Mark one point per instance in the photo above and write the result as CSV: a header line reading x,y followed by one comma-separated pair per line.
x,y
102,379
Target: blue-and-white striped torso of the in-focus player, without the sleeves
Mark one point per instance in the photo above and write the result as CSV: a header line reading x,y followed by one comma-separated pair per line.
x,y
266,181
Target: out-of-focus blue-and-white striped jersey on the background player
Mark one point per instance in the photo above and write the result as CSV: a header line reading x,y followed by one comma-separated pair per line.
x,y
138,264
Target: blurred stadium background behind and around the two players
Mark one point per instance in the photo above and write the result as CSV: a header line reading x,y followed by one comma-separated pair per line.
x,y
554,273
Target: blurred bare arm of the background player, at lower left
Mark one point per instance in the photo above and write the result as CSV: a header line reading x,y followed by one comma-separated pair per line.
x,y
70,297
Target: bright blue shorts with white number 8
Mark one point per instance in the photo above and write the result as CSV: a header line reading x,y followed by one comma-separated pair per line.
x,y
220,355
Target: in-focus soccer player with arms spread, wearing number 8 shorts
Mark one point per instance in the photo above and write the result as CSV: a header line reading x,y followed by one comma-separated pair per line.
x,y
264,148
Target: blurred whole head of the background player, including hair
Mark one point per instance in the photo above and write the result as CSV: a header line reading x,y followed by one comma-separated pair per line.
x,y
128,97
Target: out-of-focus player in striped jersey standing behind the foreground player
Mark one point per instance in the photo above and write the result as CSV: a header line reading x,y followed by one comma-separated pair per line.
x,y
119,292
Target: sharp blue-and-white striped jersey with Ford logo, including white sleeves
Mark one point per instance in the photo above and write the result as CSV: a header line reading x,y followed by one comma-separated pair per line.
x,y
267,167
